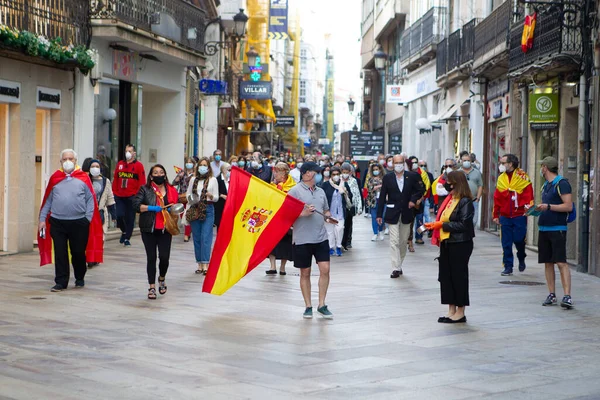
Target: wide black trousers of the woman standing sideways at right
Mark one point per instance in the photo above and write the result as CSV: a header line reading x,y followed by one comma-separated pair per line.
x,y
454,272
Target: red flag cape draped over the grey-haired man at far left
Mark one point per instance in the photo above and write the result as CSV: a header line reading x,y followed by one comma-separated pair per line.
x,y
95,247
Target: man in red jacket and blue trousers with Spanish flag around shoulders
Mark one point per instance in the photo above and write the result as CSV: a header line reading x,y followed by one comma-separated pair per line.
x,y
513,196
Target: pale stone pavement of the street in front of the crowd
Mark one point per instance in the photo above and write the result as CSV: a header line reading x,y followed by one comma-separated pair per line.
x,y
252,343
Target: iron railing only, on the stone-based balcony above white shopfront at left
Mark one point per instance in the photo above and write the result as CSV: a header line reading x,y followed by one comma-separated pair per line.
x,y
173,19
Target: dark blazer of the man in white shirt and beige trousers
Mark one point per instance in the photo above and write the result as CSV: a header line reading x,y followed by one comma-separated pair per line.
x,y
391,195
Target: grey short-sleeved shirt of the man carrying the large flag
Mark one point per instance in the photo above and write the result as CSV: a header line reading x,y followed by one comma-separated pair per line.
x,y
310,229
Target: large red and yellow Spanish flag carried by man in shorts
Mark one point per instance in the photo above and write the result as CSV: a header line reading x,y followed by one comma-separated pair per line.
x,y
255,218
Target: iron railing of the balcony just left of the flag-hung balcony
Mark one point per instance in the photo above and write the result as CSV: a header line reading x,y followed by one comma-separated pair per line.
x,y
492,31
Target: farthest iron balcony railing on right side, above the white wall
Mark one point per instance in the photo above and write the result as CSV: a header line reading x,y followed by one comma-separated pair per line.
x,y
427,30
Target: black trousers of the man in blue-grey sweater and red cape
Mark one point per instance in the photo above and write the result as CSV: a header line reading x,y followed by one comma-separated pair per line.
x,y
69,234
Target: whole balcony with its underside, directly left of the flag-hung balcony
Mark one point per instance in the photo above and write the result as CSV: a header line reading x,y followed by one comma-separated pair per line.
x,y
491,43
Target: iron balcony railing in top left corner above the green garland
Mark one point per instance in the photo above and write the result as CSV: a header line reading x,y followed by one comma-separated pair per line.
x,y
66,19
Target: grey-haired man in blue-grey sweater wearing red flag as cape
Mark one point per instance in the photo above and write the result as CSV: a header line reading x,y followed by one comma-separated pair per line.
x,y
69,220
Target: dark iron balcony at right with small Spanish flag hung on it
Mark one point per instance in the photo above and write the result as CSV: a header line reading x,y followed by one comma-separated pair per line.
x,y
556,47
